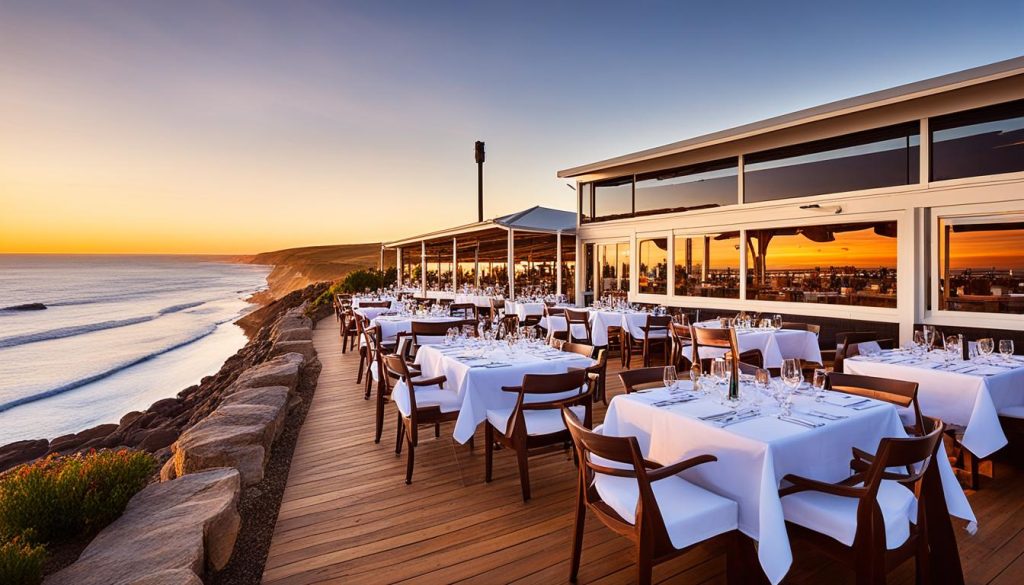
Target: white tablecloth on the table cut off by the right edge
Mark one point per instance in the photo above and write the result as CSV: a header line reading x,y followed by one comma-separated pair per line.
x,y
970,400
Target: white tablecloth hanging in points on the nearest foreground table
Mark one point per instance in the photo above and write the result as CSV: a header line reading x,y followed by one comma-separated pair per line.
x,y
753,457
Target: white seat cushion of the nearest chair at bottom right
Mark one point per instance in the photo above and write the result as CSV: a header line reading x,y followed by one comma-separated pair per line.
x,y
837,517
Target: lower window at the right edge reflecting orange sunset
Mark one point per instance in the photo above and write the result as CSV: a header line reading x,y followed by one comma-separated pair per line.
x,y
982,267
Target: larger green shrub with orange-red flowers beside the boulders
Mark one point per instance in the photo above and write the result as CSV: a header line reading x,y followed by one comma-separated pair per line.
x,y
59,498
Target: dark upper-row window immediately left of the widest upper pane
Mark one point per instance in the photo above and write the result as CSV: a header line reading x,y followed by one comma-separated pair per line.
x,y
697,187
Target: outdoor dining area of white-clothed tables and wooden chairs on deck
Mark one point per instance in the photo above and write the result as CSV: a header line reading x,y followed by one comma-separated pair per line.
x,y
738,433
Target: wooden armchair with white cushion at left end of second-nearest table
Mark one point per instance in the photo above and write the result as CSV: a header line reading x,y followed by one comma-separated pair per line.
x,y
420,402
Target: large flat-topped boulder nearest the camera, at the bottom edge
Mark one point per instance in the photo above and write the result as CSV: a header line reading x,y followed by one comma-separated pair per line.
x,y
174,532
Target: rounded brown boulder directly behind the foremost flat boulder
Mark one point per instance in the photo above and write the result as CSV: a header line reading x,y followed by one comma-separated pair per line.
x,y
237,436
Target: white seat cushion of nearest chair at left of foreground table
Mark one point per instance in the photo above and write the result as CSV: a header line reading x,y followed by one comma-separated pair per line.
x,y
691,514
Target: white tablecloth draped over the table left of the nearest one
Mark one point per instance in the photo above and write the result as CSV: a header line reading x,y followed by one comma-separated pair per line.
x,y
481,389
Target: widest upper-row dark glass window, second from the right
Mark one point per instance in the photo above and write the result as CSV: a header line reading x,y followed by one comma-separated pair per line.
x,y
885,157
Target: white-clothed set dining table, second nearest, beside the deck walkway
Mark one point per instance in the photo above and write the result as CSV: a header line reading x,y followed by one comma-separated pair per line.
x,y
479,370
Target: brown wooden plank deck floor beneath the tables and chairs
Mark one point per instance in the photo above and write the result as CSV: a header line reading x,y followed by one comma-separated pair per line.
x,y
349,517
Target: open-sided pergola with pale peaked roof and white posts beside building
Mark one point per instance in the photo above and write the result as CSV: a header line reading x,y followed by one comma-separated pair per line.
x,y
539,243
